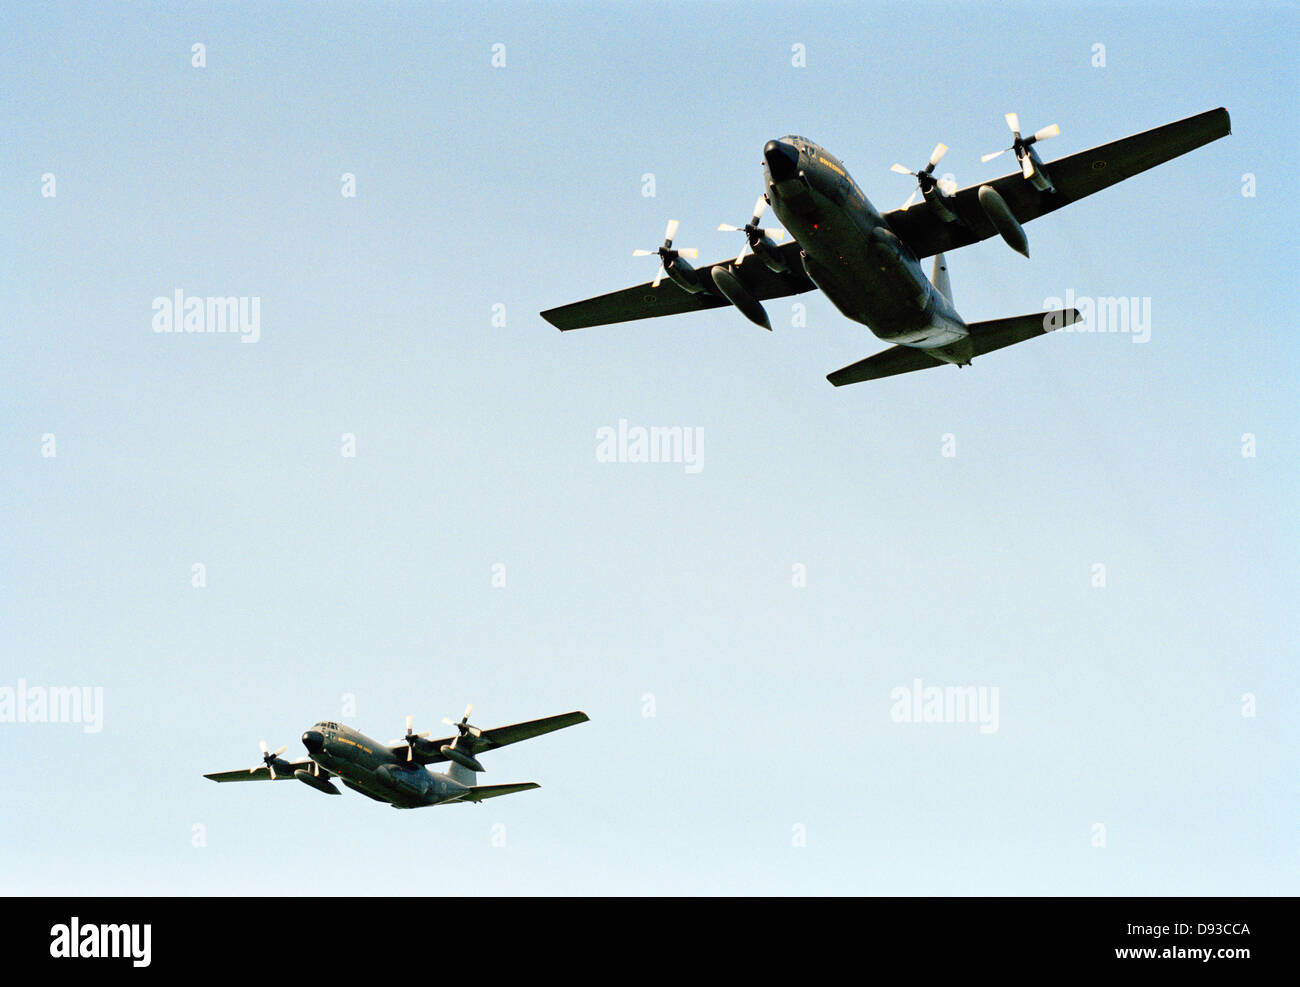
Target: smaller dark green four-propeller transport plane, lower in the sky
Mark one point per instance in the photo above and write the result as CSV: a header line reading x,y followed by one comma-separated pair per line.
x,y
396,773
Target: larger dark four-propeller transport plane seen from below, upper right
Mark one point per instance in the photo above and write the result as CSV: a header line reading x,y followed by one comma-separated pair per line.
x,y
868,263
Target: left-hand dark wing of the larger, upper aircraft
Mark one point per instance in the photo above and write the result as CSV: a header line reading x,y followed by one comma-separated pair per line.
x,y
647,302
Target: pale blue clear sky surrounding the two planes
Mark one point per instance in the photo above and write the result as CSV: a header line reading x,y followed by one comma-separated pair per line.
x,y
1097,530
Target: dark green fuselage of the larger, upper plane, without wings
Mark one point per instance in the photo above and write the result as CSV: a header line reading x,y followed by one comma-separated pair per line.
x,y
853,257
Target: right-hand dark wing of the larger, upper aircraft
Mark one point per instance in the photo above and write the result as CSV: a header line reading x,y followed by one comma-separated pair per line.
x,y
1074,178
